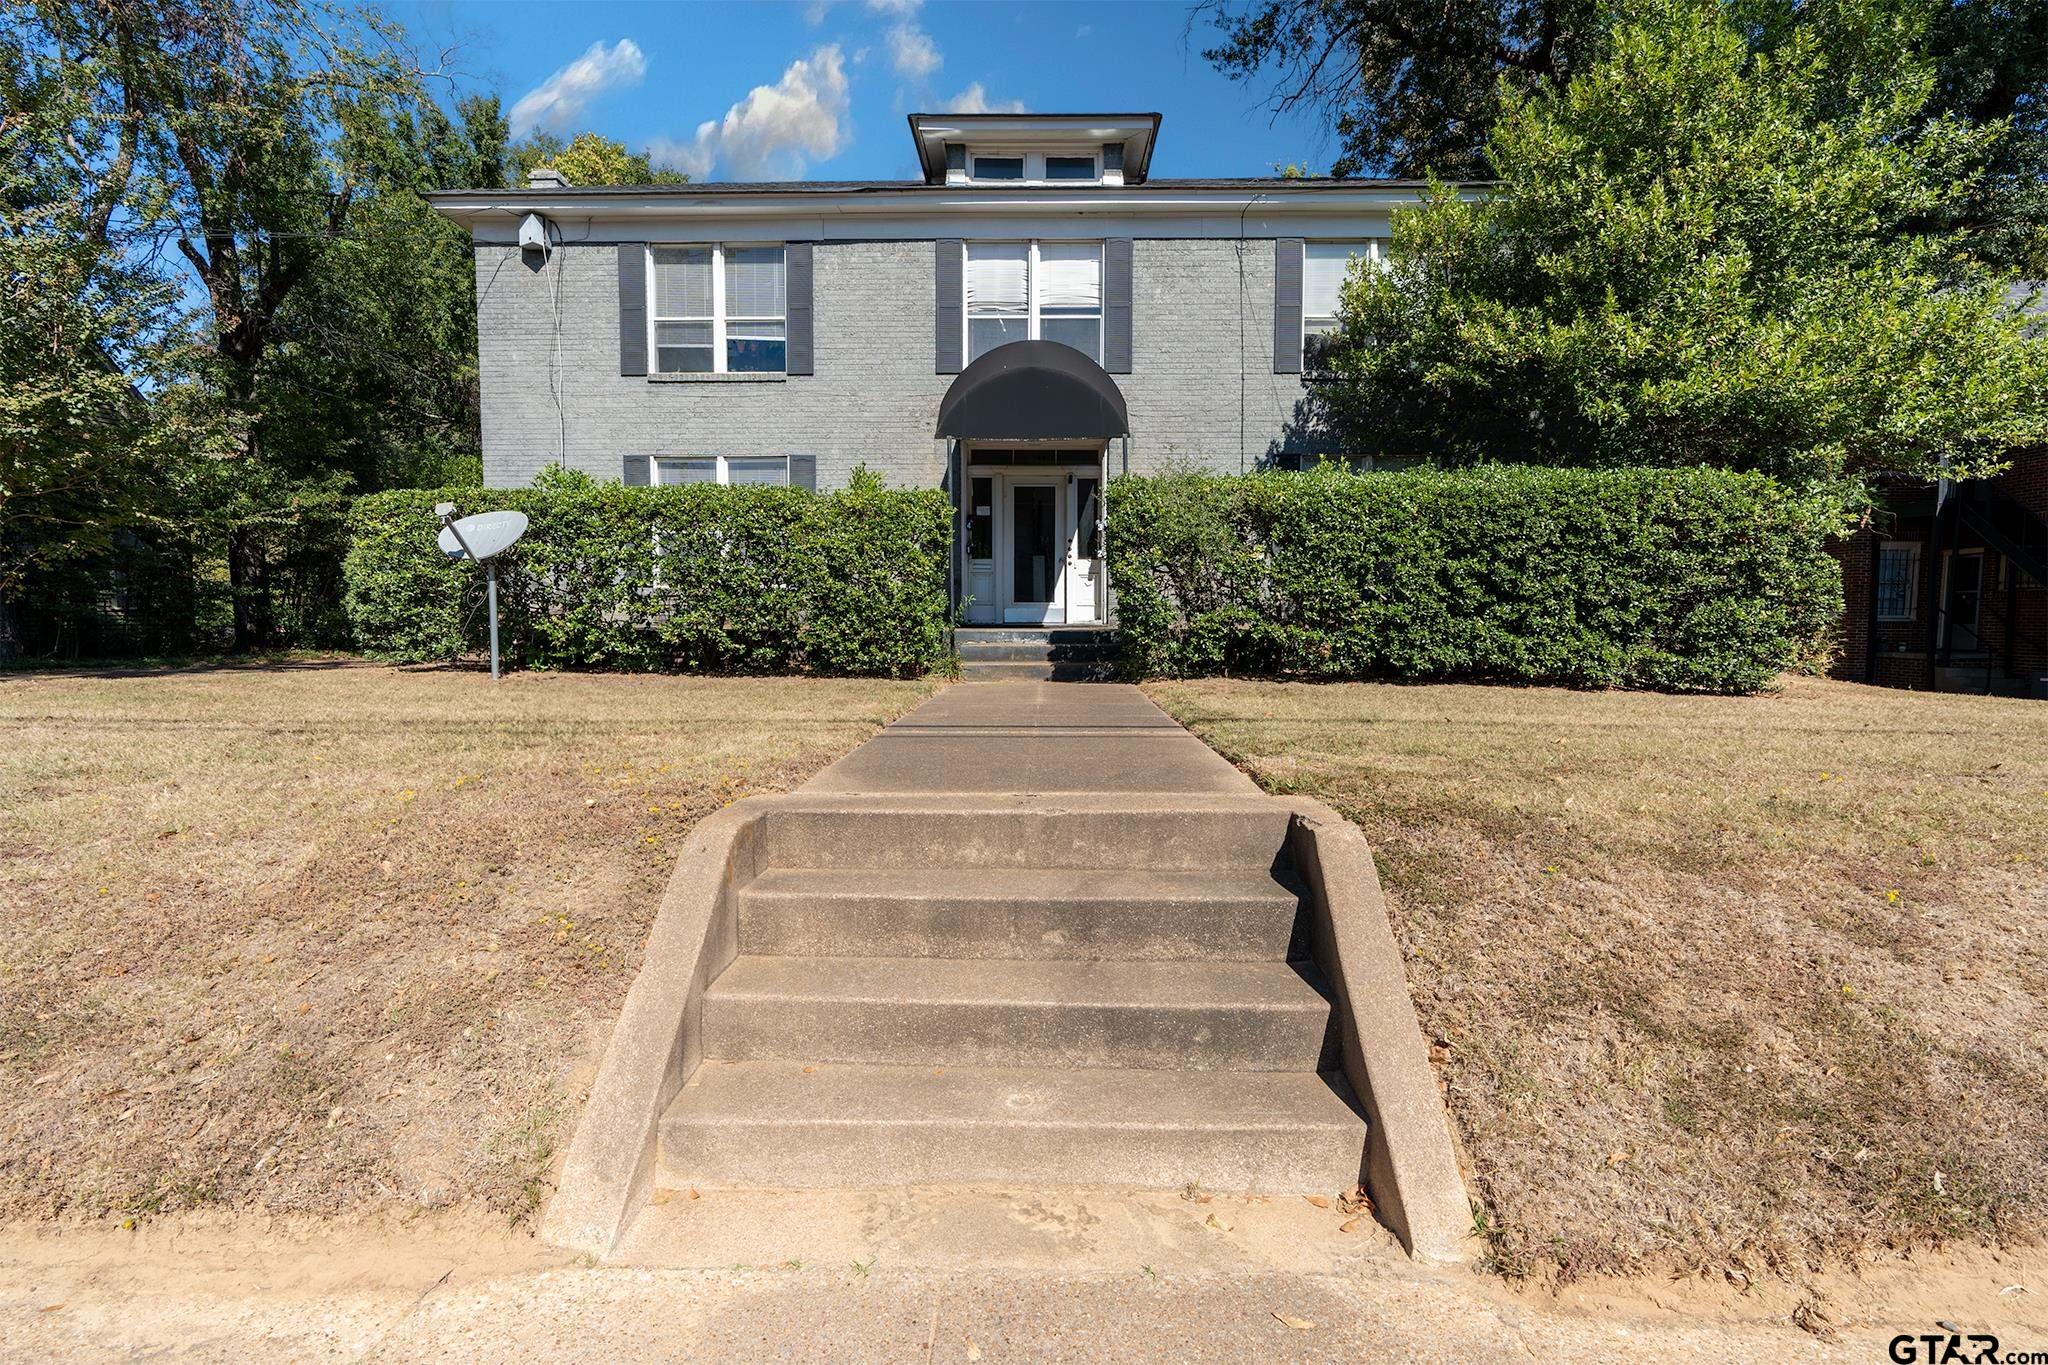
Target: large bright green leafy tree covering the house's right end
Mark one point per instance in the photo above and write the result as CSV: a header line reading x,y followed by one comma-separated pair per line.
x,y
1701,255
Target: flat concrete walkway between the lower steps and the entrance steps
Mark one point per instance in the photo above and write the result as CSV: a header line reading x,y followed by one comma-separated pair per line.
x,y
1031,740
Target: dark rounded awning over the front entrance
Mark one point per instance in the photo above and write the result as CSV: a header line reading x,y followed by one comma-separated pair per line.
x,y
1033,392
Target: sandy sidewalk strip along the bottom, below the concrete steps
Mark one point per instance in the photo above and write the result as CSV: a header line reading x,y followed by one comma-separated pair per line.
x,y
914,1276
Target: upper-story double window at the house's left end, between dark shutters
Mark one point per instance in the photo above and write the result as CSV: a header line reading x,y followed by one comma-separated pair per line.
x,y
718,310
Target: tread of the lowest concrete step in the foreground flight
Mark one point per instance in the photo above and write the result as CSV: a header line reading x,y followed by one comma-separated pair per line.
x,y
1011,1098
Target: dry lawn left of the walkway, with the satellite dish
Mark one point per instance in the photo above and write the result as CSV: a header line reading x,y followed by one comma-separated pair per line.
x,y
325,934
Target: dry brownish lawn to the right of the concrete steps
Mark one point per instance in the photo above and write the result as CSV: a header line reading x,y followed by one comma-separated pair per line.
x,y
1713,983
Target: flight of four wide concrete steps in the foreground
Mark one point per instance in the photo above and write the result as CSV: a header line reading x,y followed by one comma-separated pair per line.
x,y
1019,998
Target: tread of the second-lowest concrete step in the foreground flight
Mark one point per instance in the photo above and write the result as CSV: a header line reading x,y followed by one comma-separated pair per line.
x,y
1029,983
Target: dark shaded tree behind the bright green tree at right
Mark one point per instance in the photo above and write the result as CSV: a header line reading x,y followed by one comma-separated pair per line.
x,y
1414,87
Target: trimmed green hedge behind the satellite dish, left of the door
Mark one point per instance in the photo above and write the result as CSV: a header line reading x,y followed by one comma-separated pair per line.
x,y
695,578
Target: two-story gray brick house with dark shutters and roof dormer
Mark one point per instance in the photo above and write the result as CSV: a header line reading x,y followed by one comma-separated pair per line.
x,y
1027,320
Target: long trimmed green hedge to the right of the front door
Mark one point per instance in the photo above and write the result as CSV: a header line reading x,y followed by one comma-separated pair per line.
x,y
1689,580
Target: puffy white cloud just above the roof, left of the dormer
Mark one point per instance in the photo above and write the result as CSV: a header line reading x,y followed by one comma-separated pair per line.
x,y
775,130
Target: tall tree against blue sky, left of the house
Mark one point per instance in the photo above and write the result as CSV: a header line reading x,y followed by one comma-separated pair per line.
x,y
255,142
